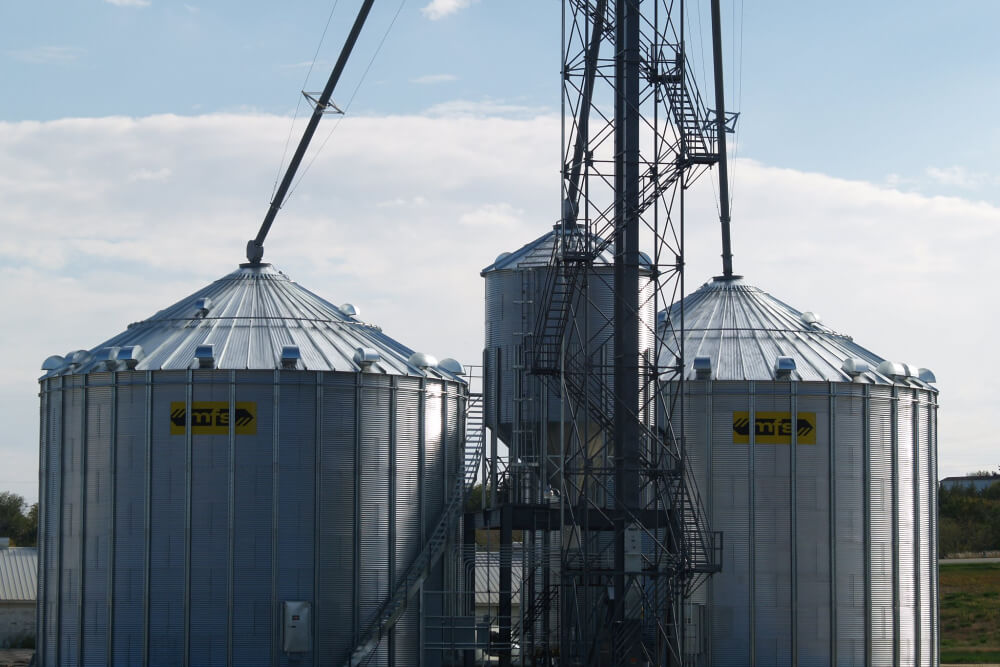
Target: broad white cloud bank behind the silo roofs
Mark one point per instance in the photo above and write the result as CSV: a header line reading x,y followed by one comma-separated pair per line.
x,y
107,220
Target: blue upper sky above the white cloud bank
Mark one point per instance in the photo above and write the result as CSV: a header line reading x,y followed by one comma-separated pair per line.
x,y
879,91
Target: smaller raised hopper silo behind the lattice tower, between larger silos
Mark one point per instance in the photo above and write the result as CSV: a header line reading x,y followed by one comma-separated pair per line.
x,y
524,410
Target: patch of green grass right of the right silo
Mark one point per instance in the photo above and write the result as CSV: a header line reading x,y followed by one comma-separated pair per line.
x,y
970,612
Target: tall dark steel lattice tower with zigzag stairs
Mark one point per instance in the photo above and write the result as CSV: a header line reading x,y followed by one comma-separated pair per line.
x,y
615,535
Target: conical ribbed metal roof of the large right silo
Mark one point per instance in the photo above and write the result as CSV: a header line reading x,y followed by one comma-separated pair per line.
x,y
742,331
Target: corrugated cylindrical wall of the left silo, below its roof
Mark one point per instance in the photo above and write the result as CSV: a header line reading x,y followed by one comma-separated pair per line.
x,y
177,549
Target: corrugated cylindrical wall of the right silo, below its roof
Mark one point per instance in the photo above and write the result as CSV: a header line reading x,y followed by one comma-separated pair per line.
x,y
835,564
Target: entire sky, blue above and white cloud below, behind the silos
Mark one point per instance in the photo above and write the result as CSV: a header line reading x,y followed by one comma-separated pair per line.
x,y
139,141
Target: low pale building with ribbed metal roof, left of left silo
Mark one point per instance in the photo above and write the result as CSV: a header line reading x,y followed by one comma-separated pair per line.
x,y
18,583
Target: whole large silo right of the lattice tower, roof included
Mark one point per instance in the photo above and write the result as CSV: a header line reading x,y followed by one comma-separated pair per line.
x,y
817,459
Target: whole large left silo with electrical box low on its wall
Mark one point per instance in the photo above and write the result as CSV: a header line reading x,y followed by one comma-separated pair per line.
x,y
240,479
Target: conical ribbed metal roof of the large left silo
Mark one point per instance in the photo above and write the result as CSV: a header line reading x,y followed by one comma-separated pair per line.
x,y
249,317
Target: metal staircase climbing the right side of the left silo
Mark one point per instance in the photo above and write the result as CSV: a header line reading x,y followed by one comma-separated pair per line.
x,y
392,609
